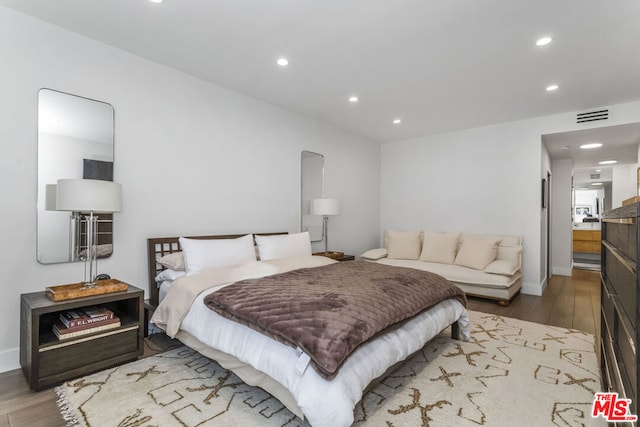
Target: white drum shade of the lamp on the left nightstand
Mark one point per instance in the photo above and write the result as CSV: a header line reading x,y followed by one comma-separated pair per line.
x,y
88,195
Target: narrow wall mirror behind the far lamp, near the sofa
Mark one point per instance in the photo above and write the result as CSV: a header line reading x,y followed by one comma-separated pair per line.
x,y
312,177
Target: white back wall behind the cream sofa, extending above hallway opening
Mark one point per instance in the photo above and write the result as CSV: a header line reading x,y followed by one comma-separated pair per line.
x,y
483,180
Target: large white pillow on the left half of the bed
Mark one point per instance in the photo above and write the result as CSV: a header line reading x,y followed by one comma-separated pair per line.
x,y
204,254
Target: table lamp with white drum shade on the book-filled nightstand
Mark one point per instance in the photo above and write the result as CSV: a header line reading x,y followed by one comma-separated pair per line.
x,y
90,196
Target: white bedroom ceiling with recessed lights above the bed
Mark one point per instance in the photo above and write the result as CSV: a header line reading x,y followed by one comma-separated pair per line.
x,y
438,65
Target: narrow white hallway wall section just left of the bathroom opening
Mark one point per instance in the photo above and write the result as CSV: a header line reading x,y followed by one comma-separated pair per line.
x,y
561,225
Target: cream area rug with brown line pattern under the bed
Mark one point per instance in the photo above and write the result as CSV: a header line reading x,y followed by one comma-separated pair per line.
x,y
511,373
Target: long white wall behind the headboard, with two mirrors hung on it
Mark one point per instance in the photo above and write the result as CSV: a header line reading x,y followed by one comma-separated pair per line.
x,y
192,157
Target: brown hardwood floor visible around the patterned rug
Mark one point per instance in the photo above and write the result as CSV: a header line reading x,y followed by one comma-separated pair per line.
x,y
569,302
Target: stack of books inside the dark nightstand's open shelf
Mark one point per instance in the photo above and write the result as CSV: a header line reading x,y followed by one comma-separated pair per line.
x,y
87,320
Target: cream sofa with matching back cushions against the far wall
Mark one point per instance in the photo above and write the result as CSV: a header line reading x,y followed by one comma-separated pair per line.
x,y
484,265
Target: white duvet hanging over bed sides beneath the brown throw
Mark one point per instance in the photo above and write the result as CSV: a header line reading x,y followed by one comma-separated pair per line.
x,y
324,403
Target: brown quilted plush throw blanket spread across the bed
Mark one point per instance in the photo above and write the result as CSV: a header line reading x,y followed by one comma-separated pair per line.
x,y
329,311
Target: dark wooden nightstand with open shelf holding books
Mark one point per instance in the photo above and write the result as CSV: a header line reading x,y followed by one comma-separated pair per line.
x,y
47,361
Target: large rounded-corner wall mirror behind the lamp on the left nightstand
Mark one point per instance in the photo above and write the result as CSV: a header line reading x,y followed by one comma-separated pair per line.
x,y
75,140
